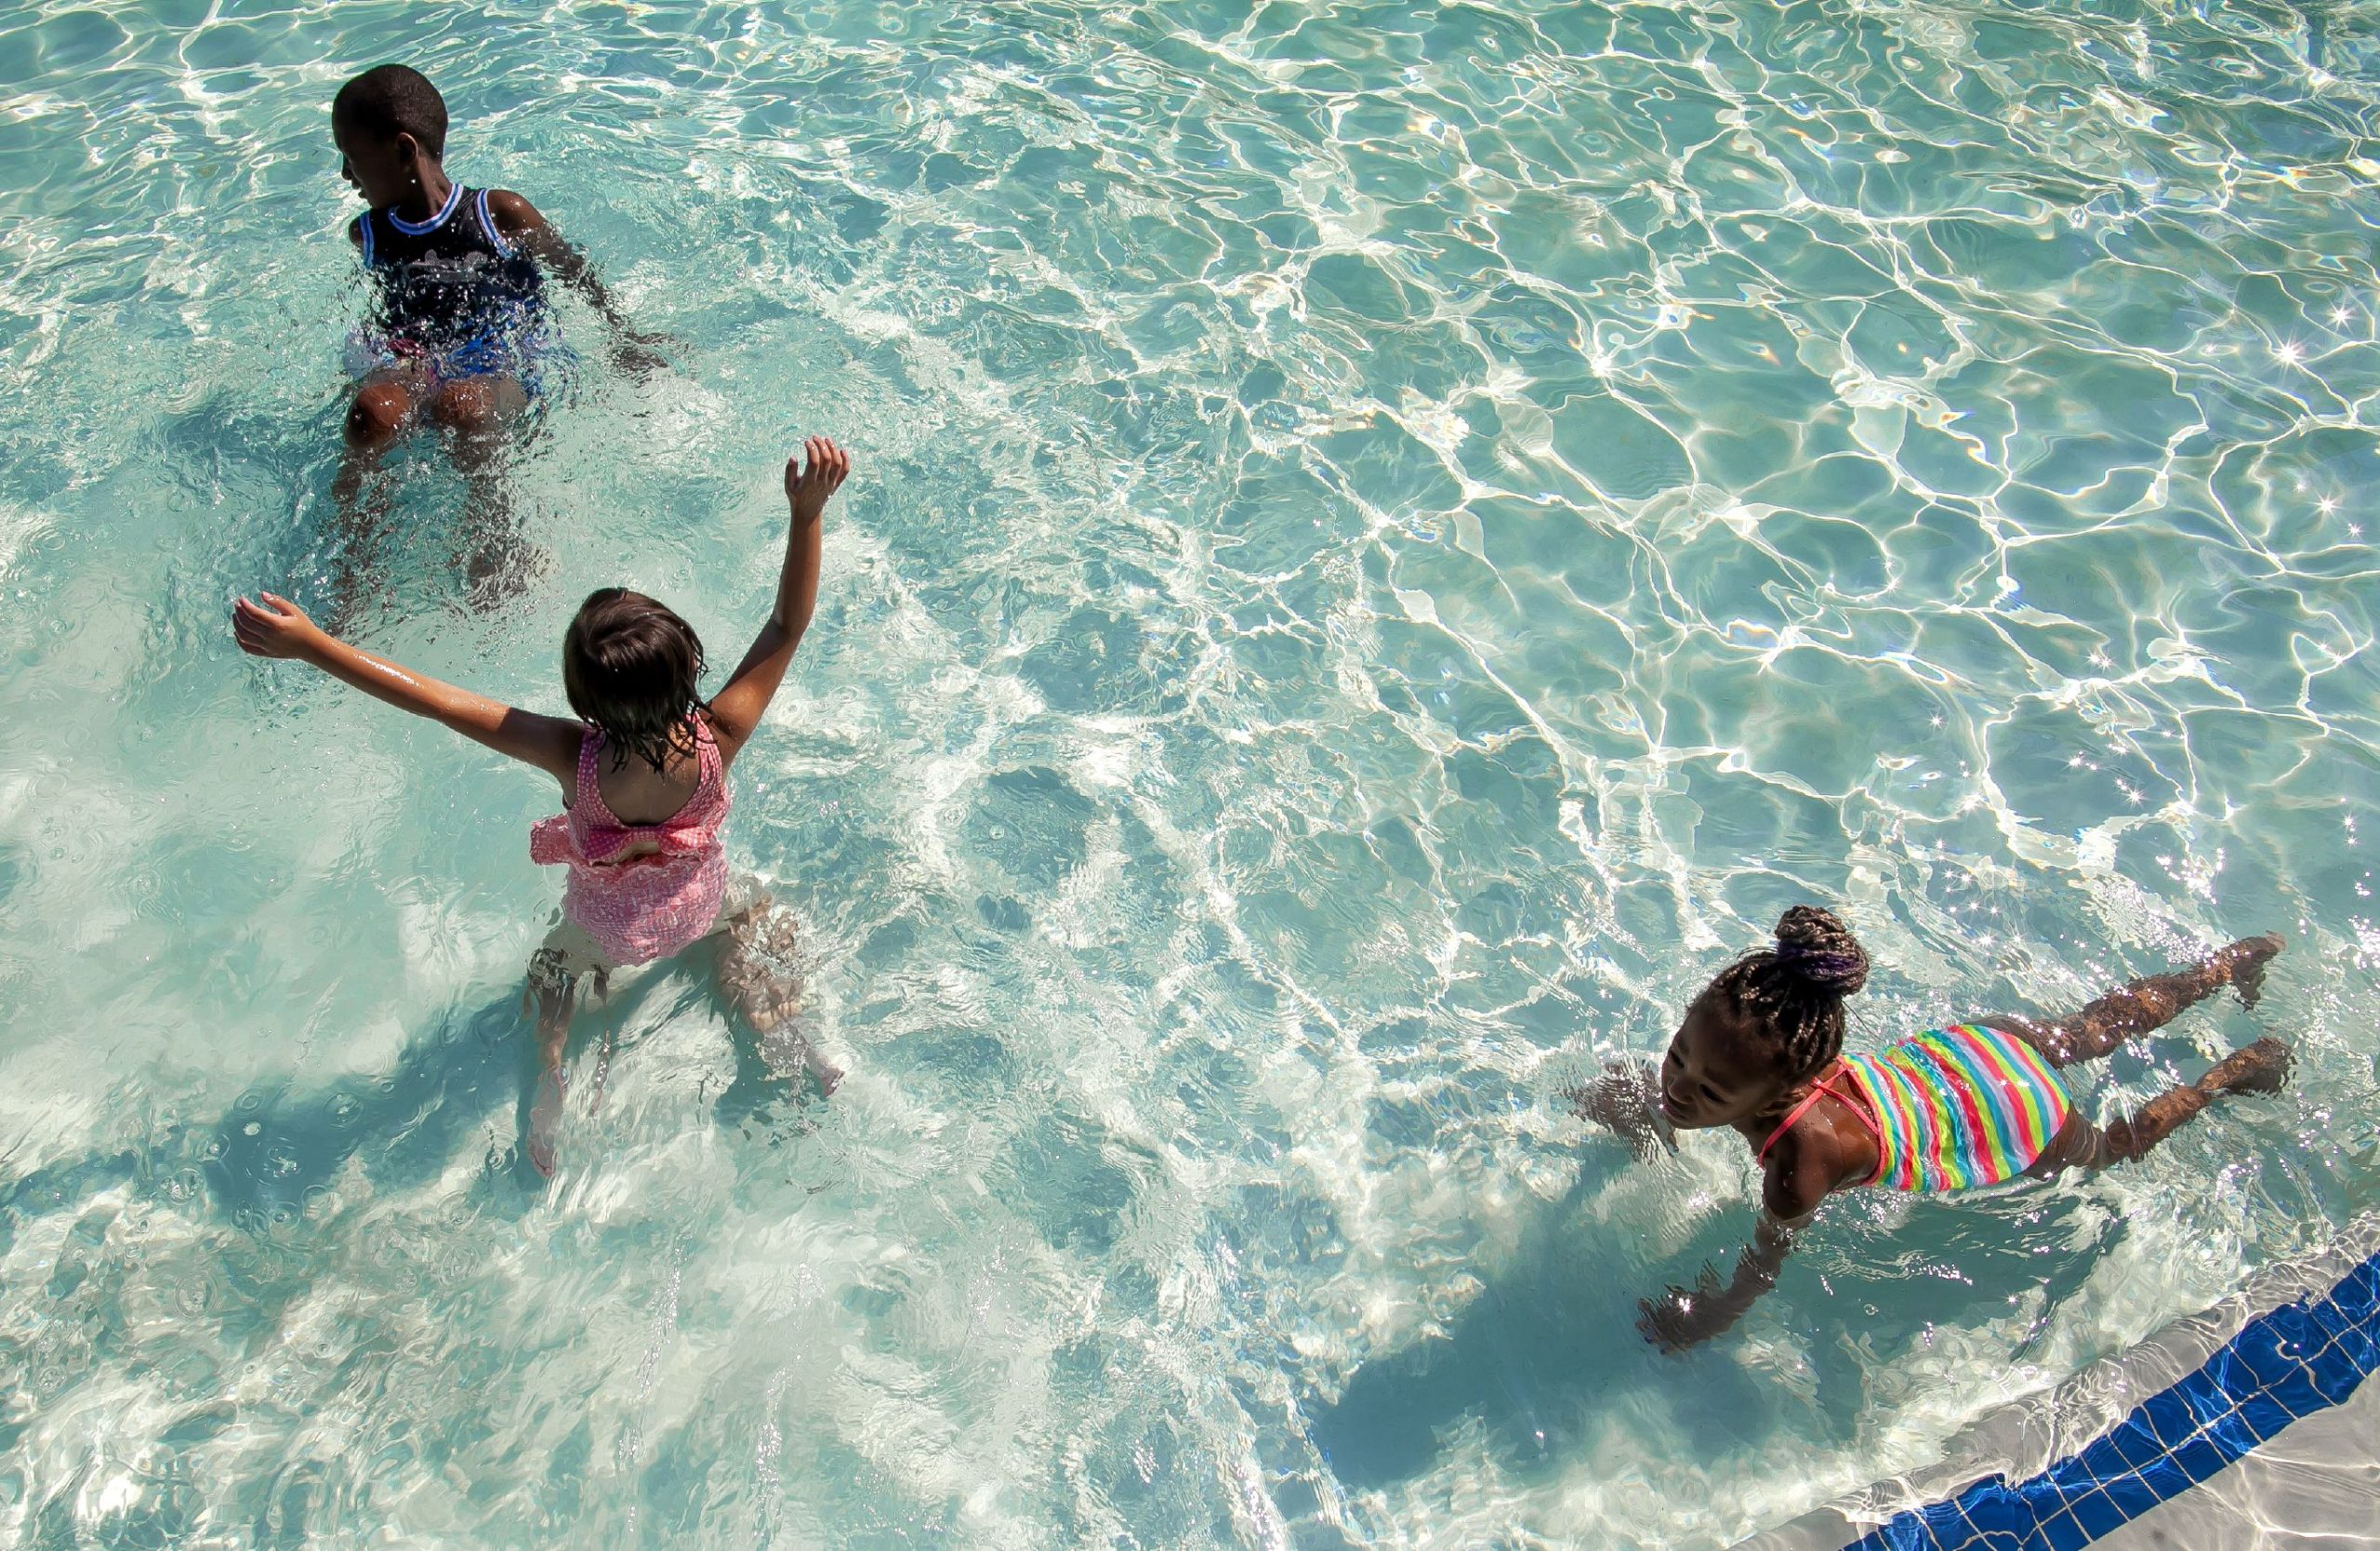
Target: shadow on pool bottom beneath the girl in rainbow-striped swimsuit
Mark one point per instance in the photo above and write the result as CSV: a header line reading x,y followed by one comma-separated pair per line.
x,y
1546,1360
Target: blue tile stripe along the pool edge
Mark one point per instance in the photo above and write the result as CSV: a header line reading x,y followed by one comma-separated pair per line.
x,y
2281,1367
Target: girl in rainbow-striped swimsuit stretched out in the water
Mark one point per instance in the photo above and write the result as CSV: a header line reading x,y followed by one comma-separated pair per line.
x,y
1948,1110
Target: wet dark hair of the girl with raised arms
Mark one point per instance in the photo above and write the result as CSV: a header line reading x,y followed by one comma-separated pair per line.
x,y
634,670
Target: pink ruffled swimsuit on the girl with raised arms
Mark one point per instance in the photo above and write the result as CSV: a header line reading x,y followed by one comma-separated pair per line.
x,y
653,905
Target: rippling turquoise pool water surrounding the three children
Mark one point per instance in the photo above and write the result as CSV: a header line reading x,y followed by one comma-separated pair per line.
x,y
1389,541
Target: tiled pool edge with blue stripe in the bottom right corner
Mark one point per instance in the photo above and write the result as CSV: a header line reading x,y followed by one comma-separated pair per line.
x,y
2098,1459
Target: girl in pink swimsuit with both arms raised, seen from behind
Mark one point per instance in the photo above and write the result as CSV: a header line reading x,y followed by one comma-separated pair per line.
x,y
644,777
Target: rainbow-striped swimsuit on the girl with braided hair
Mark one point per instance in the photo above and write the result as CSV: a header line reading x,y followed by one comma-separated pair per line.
x,y
1960,1107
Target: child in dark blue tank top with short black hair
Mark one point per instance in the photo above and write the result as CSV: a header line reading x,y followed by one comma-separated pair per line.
x,y
461,315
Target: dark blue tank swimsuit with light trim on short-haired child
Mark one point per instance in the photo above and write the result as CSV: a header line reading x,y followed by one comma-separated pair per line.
x,y
456,296
